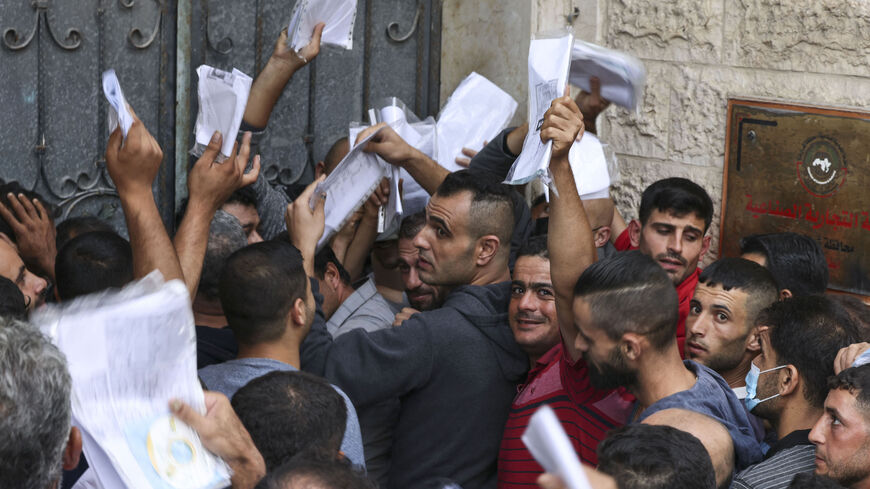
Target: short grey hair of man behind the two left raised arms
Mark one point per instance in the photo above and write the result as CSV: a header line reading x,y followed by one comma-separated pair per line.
x,y
225,236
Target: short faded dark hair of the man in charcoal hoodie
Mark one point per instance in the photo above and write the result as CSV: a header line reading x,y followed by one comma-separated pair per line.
x,y
492,207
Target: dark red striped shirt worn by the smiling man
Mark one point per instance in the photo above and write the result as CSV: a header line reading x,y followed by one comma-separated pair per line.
x,y
586,414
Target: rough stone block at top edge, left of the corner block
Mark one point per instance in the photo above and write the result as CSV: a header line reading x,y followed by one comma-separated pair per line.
x,y
671,30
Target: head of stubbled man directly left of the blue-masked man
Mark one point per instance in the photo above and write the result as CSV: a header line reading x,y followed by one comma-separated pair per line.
x,y
721,334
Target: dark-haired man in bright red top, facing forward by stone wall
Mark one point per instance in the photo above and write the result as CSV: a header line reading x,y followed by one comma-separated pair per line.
x,y
674,217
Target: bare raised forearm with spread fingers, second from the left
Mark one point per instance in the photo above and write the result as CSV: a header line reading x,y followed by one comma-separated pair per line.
x,y
209,185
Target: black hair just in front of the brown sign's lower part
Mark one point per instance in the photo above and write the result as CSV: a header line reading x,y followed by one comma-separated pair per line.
x,y
797,262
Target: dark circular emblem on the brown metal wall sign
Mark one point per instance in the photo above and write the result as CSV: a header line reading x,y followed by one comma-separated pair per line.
x,y
822,167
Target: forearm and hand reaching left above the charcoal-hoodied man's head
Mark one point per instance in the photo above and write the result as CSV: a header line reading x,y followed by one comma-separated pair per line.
x,y
395,151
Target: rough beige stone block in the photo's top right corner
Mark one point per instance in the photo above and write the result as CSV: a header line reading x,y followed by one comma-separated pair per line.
x,y
820,36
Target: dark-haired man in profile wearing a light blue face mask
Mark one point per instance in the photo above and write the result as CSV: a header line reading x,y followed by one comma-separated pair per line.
x,y
787,382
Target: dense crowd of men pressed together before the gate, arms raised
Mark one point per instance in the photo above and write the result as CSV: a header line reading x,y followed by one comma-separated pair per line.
x,y
416,360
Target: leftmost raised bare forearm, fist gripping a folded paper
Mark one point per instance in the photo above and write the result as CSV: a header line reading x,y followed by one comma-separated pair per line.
x,y
133,166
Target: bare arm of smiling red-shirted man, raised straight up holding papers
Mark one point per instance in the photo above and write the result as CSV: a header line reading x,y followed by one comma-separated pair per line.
x,y
570,242
